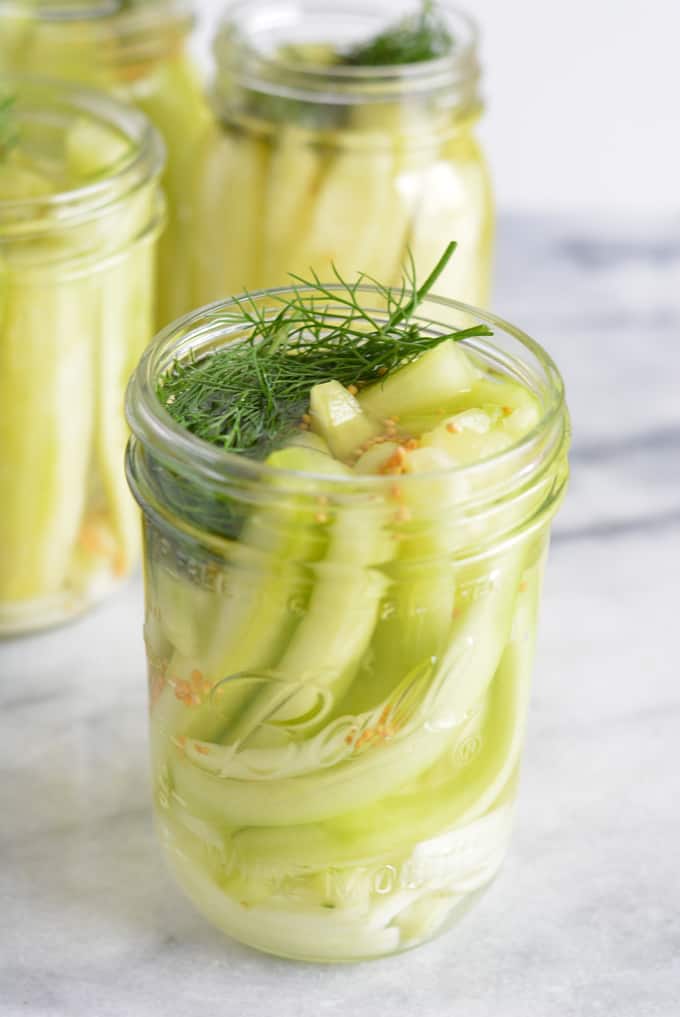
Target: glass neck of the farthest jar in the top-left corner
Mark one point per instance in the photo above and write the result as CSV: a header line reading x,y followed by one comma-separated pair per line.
x,y
117,32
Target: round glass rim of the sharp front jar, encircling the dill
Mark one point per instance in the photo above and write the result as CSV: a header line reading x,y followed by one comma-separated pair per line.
x,y
204,331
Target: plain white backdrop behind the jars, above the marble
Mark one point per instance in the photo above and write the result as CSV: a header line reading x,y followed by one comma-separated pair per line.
x,y
584,102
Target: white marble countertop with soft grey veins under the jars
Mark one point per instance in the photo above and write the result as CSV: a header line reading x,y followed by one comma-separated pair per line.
x,y
585,919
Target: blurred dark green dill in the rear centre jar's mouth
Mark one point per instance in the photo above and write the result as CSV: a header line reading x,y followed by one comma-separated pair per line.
x,y
421,36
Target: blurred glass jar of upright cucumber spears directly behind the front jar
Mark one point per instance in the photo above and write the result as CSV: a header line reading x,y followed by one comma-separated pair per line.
x,y
310,166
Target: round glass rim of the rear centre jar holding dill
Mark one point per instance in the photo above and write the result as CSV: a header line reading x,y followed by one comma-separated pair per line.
x,y
238,53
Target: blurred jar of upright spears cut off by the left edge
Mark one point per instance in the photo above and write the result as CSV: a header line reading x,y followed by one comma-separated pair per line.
x,y
78,241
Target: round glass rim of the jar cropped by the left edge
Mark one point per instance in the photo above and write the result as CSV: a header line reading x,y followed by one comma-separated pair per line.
x,y
56,106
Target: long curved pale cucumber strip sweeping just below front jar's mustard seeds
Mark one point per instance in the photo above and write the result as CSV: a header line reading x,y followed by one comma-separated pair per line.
x,y
477,644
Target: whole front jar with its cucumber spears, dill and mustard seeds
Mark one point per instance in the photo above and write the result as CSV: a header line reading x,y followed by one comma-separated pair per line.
x,y
347,509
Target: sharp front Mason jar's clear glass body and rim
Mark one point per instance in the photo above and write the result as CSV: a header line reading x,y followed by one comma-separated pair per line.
x,y
340,671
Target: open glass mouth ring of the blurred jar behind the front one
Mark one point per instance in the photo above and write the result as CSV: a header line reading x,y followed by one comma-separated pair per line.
x,y
251,46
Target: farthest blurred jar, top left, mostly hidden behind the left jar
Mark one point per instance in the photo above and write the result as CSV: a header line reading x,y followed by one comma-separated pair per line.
x,y
139,52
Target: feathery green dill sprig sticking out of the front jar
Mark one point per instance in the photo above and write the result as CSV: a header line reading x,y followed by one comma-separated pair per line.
x,y
250,396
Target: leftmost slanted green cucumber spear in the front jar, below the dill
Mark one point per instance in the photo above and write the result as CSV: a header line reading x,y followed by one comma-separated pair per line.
x,y
254,616
